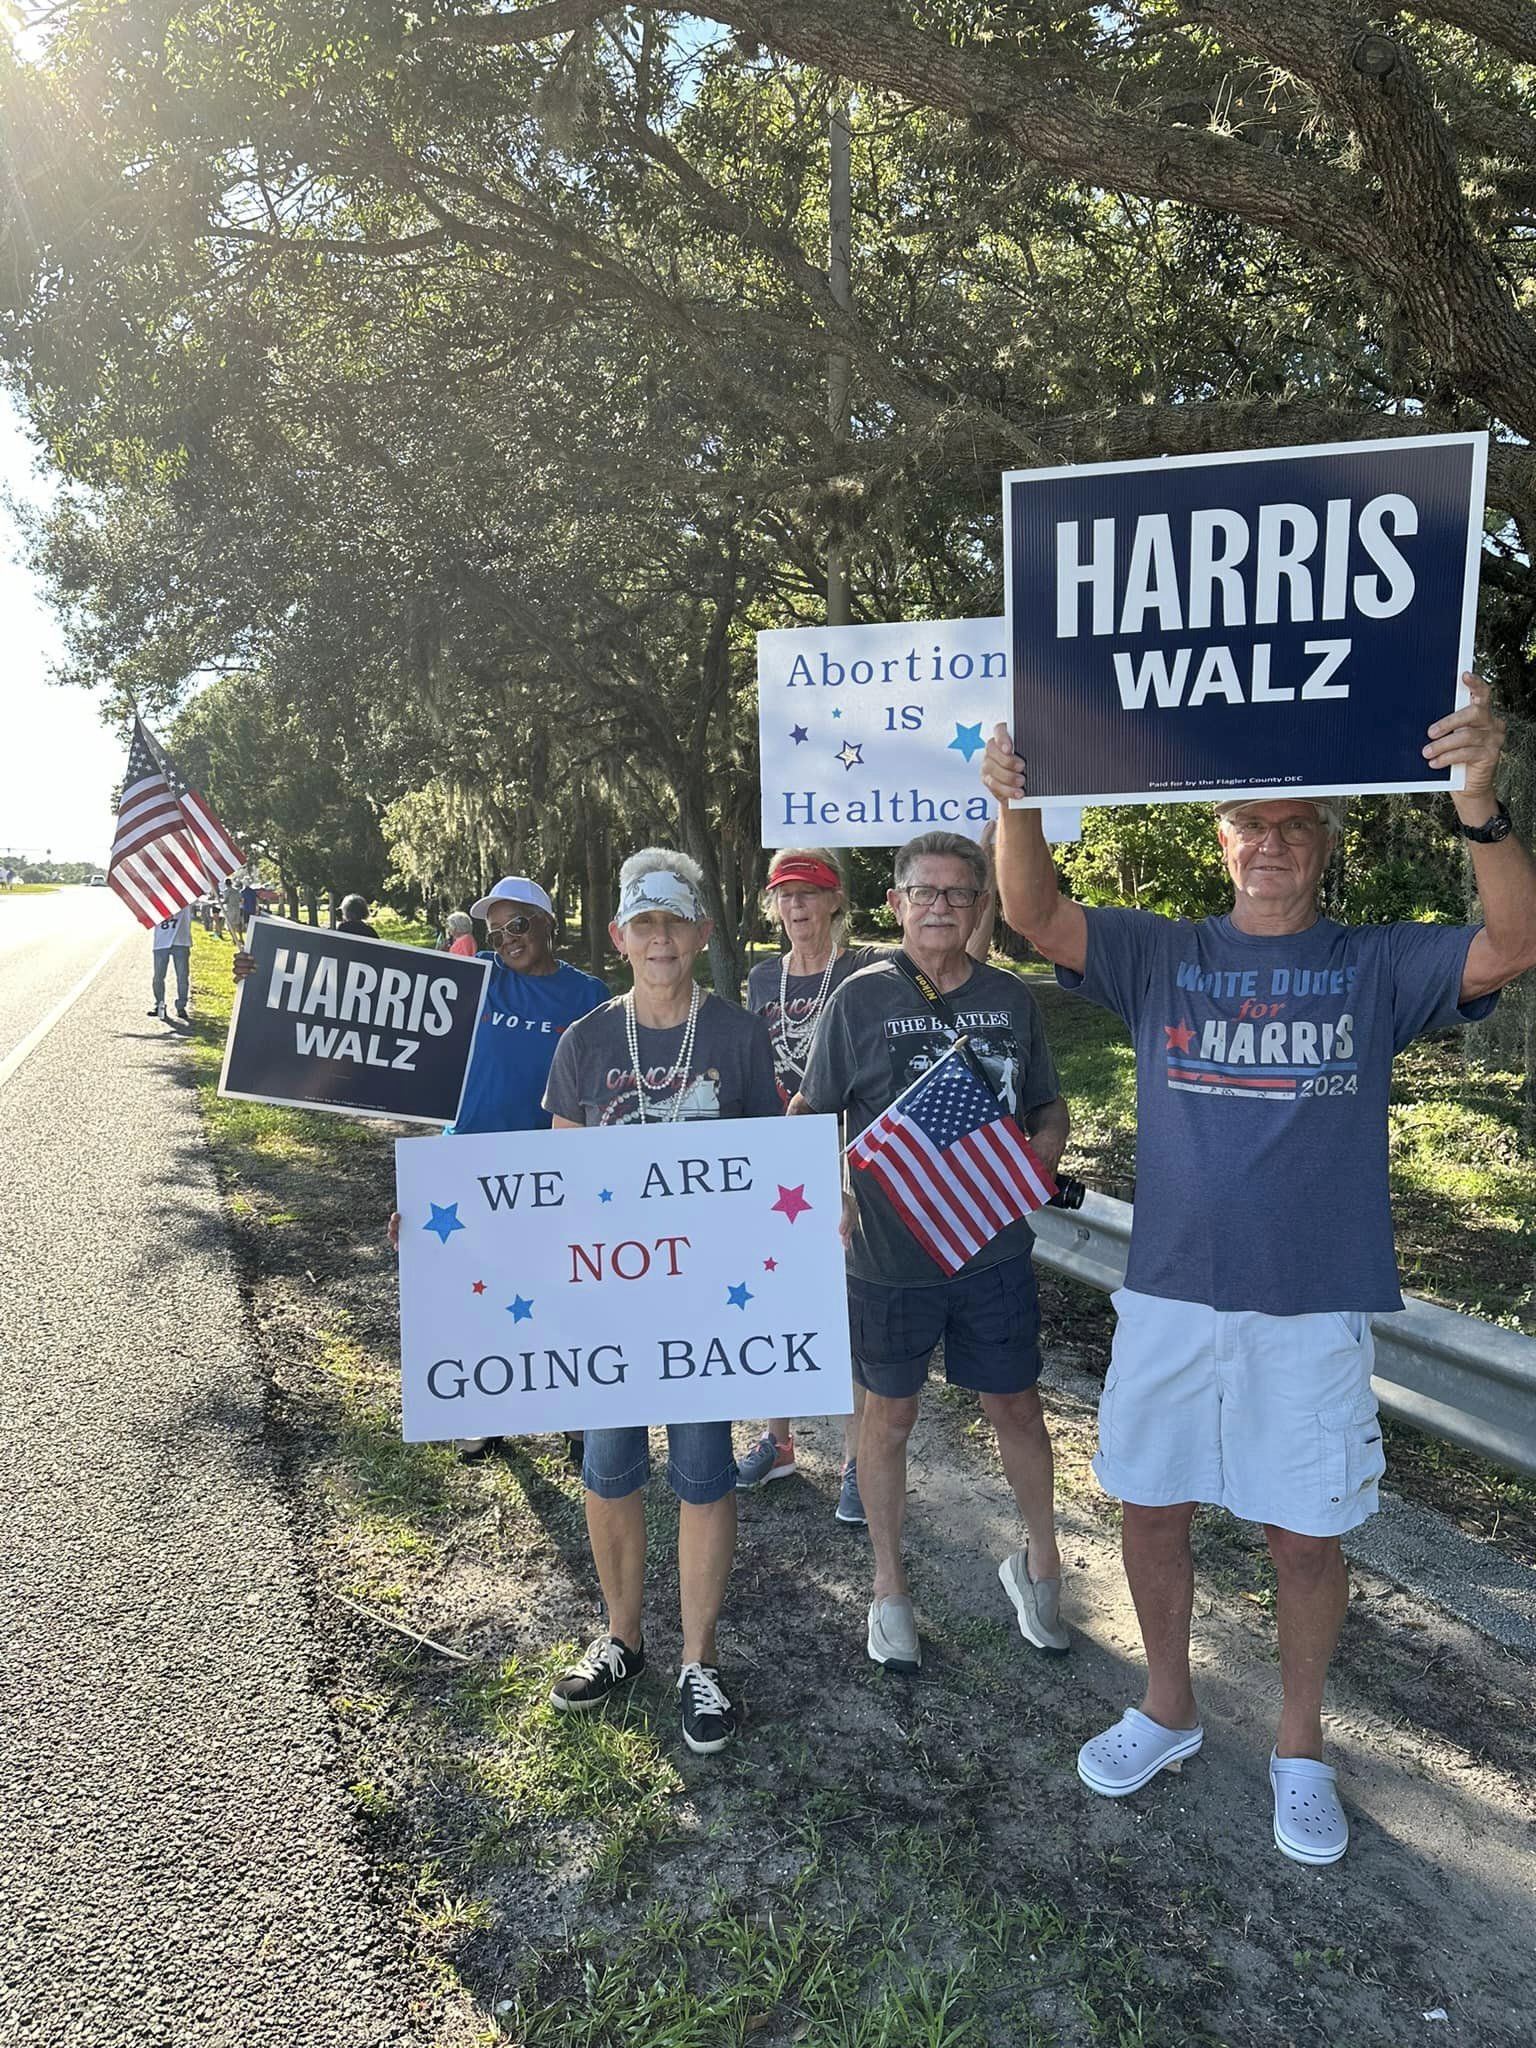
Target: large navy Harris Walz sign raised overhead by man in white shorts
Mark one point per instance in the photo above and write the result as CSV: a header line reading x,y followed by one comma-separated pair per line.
x,y
1242,624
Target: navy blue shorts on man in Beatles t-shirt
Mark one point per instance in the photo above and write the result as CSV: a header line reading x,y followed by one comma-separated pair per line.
x,y
988,1324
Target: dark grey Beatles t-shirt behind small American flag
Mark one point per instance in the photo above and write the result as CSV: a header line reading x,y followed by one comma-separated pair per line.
x,y
878,1035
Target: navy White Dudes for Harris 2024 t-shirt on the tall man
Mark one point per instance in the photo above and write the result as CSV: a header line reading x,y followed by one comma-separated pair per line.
x,y
1263,1080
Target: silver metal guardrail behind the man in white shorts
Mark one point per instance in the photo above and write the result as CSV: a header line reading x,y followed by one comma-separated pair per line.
x,y
1451,1375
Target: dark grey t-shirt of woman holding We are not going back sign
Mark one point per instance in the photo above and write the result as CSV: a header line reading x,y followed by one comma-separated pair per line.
x,y
730,1072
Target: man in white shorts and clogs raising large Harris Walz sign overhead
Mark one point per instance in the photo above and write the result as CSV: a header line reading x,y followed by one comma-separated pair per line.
x,y
1263,1236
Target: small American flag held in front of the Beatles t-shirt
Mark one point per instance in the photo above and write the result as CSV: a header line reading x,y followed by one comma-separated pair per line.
x,y
953,1162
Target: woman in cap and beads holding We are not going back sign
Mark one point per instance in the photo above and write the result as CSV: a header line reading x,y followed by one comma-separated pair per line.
x,y
663,1054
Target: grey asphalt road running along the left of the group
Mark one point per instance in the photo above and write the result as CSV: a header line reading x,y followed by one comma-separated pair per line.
x,y
177,1867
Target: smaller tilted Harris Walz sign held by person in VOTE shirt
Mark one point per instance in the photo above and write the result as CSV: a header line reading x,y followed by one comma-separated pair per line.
x,y
353,1025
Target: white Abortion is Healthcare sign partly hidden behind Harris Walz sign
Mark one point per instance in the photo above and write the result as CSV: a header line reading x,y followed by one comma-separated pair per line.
x,y
873,734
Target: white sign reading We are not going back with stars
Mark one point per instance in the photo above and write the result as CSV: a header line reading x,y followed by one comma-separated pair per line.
x,y
642,1275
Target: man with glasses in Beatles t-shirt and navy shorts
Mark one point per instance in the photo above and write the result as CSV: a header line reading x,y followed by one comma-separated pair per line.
x,y
880,1031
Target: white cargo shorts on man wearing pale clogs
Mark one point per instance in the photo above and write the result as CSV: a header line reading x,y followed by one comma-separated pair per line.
x,y
1269,1416
